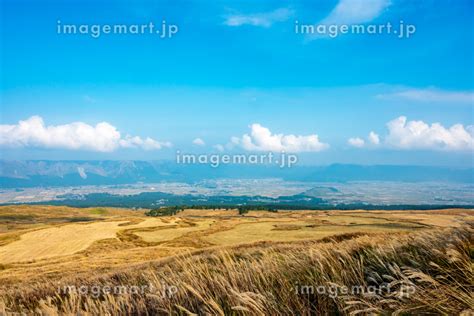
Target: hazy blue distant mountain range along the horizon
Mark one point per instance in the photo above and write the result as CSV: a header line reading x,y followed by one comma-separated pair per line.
x,y
33,173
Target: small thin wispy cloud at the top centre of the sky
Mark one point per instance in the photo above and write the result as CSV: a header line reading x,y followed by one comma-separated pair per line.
x,y
265,19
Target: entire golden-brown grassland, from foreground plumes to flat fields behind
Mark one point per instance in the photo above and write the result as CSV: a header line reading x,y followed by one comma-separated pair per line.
x,y
219,262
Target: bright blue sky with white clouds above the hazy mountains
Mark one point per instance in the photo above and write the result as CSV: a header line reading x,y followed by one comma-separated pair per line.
x,y
232,65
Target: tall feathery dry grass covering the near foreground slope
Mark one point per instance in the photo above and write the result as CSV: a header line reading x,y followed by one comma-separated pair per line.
x,y
429,272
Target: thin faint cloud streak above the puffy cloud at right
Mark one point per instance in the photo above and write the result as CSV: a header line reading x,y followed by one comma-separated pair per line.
x,y
431,95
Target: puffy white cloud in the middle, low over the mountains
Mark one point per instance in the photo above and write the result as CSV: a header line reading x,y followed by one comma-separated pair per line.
x,y
262,139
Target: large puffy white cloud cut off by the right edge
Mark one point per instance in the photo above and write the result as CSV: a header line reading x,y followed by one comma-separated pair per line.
x,y
405,134
